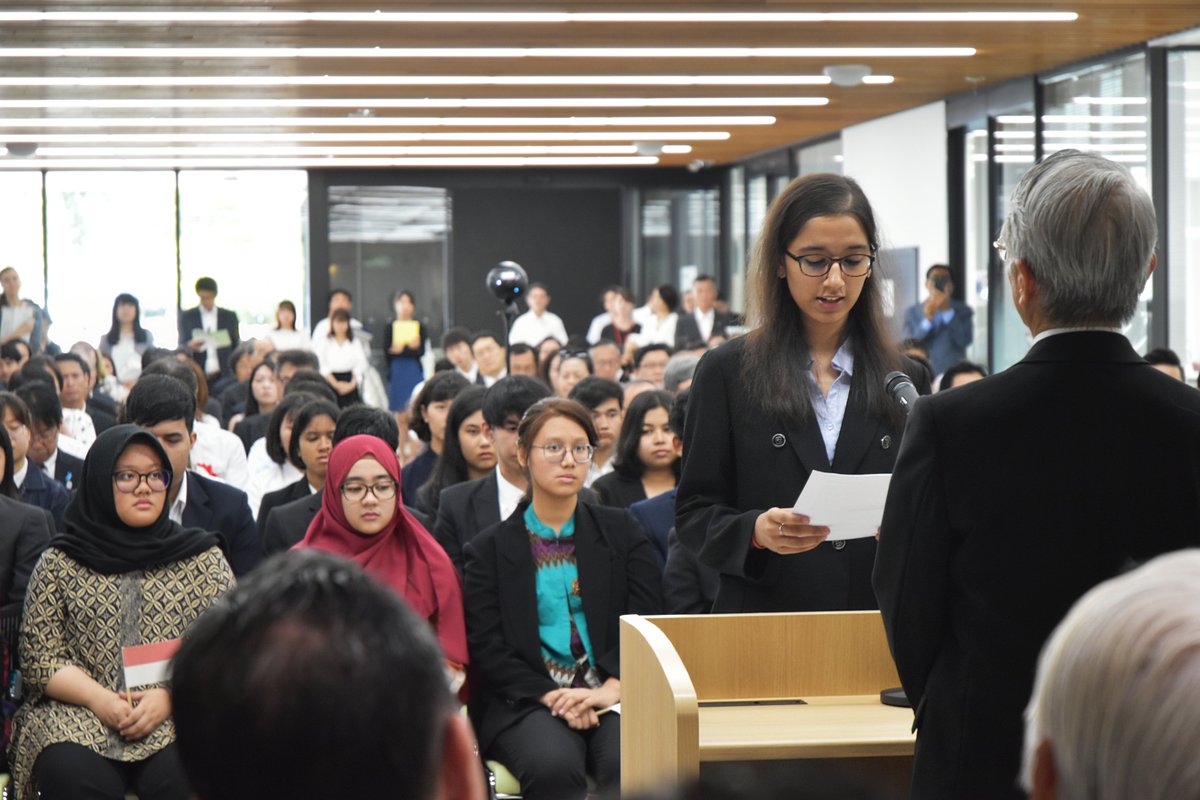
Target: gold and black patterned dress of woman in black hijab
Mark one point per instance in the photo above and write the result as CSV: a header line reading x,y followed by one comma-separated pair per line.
x,y
77,617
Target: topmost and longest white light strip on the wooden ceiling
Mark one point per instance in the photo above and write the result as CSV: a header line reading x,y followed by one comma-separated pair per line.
x,y
532,17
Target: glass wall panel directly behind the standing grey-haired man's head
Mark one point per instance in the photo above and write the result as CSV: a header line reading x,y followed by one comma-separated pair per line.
x,y
1105,110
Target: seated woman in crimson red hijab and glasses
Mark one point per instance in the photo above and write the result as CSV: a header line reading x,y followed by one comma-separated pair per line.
x,y
363,519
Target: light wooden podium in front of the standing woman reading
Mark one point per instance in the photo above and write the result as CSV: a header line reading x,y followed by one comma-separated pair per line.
x,y
725,688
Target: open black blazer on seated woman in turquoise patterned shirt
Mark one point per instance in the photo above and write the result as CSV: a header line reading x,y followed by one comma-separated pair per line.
x,y
617,576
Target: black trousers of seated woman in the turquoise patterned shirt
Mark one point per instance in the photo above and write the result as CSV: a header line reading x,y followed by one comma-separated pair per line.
x,y
554,762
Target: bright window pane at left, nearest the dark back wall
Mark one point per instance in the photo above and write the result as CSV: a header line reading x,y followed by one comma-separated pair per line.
x,y
248,231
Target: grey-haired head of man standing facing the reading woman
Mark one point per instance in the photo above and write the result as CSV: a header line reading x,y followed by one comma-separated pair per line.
x,y
1088,232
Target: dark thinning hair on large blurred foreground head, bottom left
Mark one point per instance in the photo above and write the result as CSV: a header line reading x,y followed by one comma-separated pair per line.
x,y
307,648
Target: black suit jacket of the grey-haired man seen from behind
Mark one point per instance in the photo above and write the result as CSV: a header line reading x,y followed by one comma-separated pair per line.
x,y
1013,497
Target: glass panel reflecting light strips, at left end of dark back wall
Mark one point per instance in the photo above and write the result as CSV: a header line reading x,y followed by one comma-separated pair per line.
x,y
383,239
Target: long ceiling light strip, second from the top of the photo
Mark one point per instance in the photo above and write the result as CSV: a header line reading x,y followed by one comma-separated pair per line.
x,y
177,53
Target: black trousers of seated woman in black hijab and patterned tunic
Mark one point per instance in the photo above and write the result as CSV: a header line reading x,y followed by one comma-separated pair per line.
x,y
70,772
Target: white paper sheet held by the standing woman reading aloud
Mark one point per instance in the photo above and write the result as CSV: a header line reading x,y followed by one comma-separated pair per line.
x,y
850,506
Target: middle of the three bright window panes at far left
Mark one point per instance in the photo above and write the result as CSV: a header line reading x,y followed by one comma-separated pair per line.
x,y
110,233
